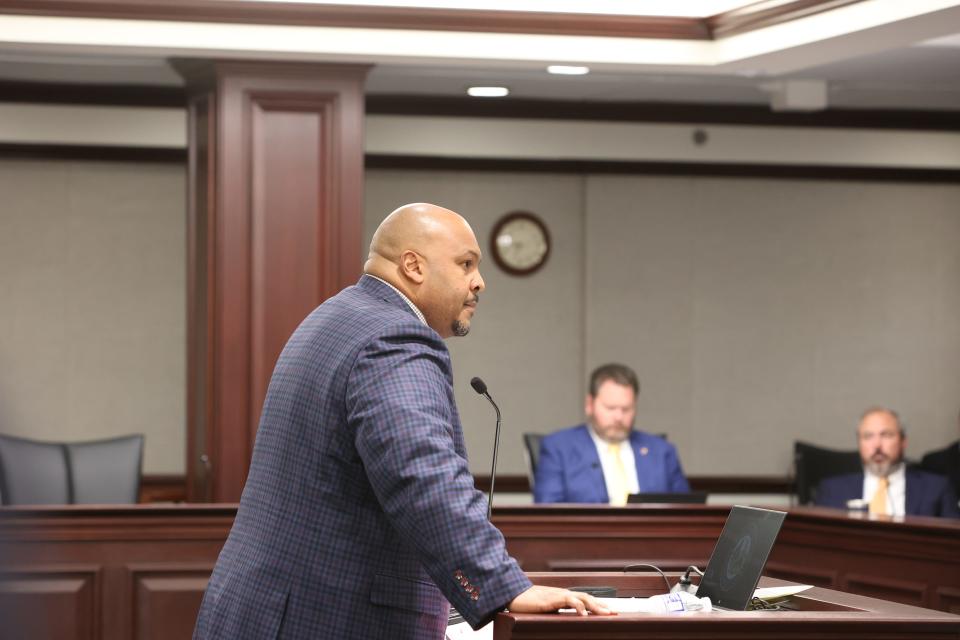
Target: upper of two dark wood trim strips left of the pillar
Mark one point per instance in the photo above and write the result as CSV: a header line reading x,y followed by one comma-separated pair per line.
x,y
127,95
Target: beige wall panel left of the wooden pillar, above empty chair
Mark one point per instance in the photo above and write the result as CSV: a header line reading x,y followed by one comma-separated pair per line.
x,y
92,291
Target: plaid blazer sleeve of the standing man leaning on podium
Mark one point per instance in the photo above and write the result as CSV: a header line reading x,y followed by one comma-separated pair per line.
x,y
400,407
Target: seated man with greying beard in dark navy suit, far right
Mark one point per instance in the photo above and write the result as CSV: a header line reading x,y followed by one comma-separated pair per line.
x,y
886,484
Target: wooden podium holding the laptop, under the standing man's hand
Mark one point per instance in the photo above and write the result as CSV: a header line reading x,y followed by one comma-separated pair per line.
x,y
815,614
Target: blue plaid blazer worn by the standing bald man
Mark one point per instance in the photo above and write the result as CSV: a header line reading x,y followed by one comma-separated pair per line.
x,y
359,518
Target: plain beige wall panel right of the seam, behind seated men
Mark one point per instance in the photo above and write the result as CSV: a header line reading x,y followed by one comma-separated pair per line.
x,y
760,311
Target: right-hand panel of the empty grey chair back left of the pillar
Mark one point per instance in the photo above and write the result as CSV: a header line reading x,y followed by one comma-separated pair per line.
x,y
106,471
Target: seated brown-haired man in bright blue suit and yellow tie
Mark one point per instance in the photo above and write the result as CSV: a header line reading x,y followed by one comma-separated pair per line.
x,y
606,459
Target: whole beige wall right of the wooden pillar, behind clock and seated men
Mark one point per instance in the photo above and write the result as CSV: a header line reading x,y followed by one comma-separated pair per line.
x,y
755,311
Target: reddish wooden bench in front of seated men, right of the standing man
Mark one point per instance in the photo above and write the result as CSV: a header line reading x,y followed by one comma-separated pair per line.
x,y
915,561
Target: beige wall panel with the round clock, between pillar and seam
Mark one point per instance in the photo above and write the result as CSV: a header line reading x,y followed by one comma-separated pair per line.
x,y
526,338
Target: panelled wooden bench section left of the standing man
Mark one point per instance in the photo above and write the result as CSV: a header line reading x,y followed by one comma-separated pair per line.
x,y
110,573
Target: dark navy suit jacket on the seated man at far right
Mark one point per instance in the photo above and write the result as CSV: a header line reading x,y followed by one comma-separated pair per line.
x,y
927,494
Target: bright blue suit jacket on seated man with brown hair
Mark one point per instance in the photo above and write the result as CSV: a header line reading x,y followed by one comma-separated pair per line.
x,y
569,467
